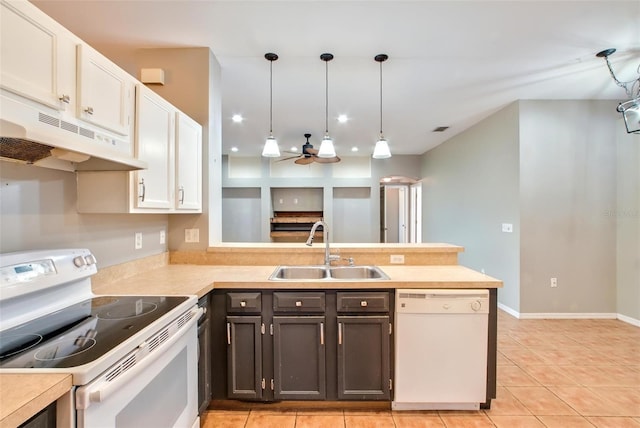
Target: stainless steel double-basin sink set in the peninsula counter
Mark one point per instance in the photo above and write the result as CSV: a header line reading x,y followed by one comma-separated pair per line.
x,y
328,273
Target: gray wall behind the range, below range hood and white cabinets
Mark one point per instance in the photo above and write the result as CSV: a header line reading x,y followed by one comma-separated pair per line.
x,y
38,211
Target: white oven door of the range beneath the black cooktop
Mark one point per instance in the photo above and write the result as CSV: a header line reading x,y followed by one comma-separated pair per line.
x,y
161,390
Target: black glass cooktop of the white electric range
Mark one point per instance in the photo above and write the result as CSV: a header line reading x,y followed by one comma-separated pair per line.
x,y
81,333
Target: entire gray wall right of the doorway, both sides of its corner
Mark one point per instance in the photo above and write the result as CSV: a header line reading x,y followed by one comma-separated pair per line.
x,y
567,178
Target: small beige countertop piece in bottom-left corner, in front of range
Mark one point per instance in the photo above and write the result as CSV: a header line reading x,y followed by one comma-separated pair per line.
x,y
24,395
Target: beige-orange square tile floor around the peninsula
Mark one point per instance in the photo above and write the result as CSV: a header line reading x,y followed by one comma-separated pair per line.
x,y
551,373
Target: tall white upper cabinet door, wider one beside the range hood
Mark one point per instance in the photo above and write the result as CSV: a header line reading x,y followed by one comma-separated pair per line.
x,y
154,144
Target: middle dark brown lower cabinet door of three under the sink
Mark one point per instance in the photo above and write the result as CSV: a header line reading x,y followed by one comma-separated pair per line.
x,y
299,358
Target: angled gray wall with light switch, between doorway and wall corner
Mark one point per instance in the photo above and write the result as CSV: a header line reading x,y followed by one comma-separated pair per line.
x,y
470,187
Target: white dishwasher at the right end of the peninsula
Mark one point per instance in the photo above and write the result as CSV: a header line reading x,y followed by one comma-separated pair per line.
x,y
441,349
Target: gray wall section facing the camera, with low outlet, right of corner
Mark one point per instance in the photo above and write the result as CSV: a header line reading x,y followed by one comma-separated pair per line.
x,y
567,183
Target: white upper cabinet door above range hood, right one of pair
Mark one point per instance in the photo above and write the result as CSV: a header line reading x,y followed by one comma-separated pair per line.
x,y
104,92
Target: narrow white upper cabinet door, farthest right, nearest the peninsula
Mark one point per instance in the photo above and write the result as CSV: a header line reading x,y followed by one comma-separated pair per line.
x,y
188,164
